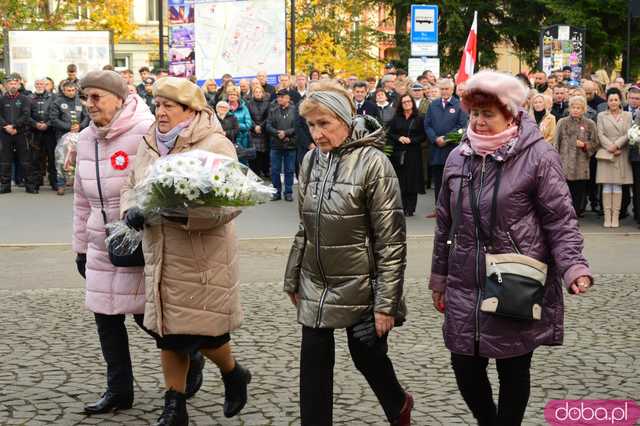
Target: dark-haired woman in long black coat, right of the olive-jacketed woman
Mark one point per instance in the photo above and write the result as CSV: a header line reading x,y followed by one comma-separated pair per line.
x,y
406,134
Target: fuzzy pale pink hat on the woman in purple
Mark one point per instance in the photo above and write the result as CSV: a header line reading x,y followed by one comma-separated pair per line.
x,y
508,89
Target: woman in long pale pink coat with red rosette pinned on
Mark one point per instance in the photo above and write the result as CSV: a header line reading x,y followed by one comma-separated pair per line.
x,y
119,120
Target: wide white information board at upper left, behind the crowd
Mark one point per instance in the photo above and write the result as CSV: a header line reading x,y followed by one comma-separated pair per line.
x,y
37,54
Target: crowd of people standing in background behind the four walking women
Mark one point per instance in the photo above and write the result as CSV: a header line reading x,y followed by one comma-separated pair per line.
x,y
586,122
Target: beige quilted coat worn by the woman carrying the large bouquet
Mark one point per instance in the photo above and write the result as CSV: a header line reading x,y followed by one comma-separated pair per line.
x,y
191,272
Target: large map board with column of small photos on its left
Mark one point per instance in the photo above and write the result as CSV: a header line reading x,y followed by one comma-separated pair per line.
x,y
209,38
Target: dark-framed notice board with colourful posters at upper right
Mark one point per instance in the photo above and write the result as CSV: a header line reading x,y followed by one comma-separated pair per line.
x,y
562,45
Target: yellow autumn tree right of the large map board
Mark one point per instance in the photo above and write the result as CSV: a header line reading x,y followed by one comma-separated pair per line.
x,y
329,37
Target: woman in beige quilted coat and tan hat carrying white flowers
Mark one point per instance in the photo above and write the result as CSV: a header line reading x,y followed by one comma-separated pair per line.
x,y
191,264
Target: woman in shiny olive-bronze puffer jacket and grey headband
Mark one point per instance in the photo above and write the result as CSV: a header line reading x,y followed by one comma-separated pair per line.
x,y
347,262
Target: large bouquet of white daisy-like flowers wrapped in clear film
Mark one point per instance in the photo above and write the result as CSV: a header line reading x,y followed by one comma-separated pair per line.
x,y
200,181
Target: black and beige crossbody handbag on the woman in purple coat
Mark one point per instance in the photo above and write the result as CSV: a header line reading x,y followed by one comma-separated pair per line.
x,y
514,283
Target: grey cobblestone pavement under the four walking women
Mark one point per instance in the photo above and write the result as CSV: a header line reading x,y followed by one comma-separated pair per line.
x,y
50,361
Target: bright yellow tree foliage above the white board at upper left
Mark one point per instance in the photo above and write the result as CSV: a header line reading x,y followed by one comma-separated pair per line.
x,y
114,15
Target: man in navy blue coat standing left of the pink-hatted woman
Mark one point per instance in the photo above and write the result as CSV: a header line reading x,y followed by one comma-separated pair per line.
x,y
444,115
